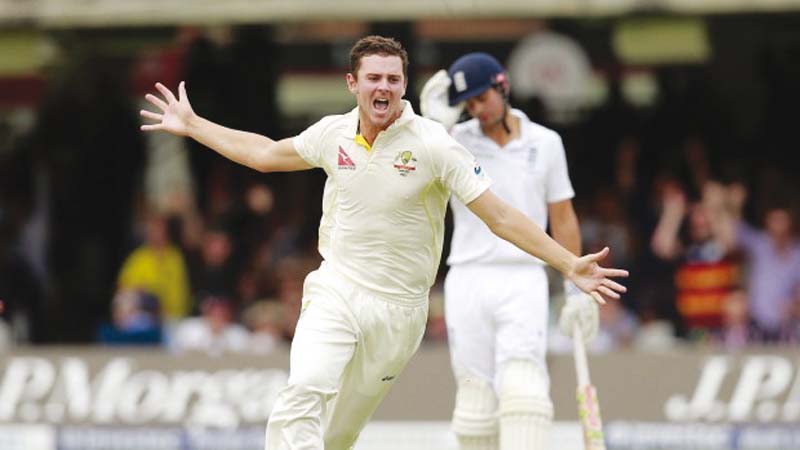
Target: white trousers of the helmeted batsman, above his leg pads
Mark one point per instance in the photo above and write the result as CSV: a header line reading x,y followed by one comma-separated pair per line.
x,y
495,314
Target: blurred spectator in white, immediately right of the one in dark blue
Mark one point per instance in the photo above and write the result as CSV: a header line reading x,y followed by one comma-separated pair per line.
x,y
213,333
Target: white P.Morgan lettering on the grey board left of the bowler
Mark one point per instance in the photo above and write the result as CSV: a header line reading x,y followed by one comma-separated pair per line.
x,y
35,390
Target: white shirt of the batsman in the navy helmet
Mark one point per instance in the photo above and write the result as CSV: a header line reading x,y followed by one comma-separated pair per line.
x,y
528,172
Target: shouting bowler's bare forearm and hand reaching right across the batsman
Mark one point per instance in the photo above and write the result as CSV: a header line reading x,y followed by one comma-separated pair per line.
x,y
510,224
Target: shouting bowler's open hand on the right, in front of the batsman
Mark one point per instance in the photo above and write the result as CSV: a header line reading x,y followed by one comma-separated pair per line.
x,y
595,280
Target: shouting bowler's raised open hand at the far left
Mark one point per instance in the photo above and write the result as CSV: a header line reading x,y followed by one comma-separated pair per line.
x,y
176,113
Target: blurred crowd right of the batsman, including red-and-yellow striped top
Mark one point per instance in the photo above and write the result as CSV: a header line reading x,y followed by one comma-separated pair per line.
x,y
714,256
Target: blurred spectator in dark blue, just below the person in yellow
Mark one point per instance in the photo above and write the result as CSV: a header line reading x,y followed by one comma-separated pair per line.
x,y
134,320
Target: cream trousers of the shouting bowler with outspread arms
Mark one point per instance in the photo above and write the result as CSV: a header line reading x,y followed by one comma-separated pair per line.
x,y
349,347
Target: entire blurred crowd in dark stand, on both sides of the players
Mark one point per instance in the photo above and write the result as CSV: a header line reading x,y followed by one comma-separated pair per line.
x,y
113,237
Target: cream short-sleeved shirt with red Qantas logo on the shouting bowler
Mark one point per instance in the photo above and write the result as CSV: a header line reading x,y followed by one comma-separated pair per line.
x,y
383,209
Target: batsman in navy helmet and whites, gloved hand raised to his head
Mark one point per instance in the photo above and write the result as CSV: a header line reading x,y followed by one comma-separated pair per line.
x,y
496,295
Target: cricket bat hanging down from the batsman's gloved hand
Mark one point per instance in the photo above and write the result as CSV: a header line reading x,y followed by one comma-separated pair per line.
x,y
588,407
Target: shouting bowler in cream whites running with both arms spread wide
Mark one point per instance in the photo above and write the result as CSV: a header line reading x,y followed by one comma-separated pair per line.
x,y
390,173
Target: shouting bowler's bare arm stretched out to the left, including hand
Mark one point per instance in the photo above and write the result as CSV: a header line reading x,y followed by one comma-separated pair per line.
x,y
249,149
